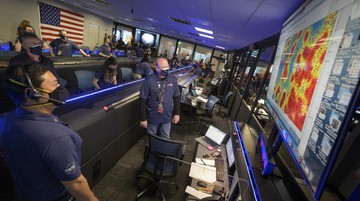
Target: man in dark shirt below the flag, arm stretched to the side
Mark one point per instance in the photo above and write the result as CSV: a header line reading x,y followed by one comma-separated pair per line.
x,y
64,47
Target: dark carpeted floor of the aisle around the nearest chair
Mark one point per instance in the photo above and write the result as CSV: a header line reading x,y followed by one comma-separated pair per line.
x,y
120,182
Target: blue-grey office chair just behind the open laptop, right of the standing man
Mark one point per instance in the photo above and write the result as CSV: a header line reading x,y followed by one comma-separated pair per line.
x,y
208,111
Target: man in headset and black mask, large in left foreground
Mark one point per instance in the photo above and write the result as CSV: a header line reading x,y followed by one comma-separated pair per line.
x,y
43,155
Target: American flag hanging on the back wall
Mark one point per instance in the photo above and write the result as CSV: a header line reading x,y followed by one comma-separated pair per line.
x,y
53,19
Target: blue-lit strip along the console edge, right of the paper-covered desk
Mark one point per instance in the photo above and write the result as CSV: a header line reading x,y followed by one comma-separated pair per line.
x,y
248,165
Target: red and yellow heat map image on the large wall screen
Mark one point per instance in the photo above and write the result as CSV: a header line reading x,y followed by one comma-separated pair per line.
x,y
300,67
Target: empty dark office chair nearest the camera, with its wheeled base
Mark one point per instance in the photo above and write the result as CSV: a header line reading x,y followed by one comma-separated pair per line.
x,y
161,161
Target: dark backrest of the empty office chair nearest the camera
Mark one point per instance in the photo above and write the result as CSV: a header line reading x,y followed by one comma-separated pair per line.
x,y
160,148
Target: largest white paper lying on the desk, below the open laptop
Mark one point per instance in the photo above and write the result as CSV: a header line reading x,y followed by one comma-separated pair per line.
x,y
203,172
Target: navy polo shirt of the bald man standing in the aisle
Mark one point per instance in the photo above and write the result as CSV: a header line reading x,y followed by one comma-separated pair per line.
x,y
150,90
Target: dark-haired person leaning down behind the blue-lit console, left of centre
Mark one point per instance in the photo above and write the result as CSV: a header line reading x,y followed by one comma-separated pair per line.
x,y
105,76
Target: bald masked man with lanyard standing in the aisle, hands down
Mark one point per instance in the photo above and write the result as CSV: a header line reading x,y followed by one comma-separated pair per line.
x,y
157,95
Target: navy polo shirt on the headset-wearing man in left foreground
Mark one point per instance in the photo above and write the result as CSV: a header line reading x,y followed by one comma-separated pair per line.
x,y
40,152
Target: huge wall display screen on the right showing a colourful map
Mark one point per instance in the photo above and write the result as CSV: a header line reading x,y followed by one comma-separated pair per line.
x,y
316,71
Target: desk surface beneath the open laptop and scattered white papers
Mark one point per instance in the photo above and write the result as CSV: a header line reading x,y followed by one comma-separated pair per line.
x,y
200,152
